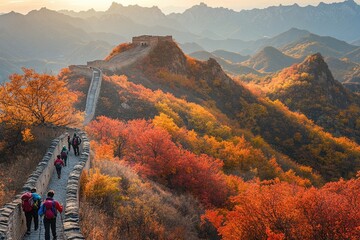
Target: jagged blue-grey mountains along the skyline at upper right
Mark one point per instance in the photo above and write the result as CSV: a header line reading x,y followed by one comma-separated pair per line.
x,y
335,19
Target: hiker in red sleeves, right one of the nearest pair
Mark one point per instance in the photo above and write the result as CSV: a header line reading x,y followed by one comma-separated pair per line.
x,y
49,210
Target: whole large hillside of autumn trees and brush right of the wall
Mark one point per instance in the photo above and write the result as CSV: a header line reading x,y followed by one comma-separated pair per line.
x,y
193,131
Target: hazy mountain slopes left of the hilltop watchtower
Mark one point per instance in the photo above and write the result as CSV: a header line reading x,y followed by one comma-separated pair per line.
x,y
45,40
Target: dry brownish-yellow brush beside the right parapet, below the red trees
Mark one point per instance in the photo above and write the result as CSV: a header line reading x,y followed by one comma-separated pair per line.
x,y
142,210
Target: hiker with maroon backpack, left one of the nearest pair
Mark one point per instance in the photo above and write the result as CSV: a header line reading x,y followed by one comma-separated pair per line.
x,y
30,204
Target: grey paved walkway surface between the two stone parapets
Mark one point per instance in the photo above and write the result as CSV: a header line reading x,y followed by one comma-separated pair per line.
x,y
59,186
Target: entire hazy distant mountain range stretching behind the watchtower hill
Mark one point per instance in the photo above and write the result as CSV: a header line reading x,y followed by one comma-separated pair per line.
x,y
48,40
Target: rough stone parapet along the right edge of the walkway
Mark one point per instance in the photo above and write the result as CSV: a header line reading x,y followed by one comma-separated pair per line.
x,y
71,219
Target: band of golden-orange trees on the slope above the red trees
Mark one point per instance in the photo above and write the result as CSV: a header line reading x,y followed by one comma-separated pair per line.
x,y
203,129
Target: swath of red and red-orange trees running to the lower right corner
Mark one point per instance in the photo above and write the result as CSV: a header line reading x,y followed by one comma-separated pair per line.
x,y
269,209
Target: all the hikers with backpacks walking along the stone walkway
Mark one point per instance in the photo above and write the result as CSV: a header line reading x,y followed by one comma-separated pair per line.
x,y
31,201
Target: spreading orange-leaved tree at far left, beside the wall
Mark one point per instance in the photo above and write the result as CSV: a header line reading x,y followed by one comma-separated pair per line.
x,y
34,98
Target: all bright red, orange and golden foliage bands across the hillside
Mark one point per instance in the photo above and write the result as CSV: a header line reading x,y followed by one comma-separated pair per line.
x,y
187,149
